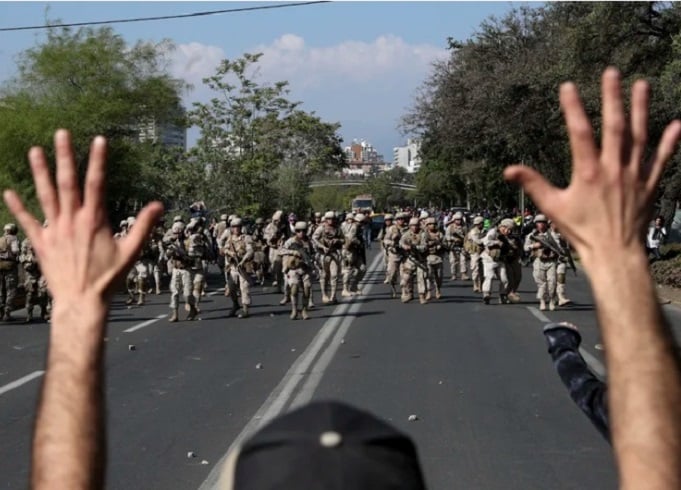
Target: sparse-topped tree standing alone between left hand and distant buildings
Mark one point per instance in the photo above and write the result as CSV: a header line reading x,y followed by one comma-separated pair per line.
x,y
260,148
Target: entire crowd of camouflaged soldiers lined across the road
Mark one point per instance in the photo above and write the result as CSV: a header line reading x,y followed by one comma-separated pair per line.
x,y
292,253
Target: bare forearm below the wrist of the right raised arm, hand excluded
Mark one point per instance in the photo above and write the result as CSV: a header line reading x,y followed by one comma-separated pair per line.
x,y
644,372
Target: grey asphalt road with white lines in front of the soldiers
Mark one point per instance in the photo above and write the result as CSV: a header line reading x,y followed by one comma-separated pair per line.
x,y
491,411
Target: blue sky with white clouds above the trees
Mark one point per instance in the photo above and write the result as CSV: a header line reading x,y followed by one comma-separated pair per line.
x,y
357,63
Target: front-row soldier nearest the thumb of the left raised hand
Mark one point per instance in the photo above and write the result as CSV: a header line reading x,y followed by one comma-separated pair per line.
x,y
180,279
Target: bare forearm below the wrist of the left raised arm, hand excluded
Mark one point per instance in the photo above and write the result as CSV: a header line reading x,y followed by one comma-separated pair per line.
x,y
69,432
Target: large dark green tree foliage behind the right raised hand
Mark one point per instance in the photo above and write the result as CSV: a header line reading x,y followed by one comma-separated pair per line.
x,y
494,101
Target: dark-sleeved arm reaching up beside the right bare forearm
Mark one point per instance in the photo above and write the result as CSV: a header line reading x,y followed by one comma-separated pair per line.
x,y
586,390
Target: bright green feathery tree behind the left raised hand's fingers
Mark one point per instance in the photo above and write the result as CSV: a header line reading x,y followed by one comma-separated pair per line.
x,y
90,82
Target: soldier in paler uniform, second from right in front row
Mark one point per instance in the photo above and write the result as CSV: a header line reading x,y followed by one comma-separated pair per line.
x,y
493,260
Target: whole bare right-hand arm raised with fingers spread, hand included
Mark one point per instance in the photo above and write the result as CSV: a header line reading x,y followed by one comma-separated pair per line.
x,y
603,213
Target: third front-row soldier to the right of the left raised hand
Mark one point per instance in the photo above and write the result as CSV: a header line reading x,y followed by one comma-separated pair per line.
x,y
298,264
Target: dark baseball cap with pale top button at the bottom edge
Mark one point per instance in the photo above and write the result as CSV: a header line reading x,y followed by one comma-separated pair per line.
x,y
325,445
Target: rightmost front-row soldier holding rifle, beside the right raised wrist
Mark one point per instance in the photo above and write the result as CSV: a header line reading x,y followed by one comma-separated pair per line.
x,y
545,262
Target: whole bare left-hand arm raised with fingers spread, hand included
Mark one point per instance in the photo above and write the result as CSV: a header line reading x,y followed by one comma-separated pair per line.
x,y
82,263
